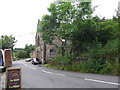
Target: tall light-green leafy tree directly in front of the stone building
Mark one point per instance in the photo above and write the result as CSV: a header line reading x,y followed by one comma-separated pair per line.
x,y
65,19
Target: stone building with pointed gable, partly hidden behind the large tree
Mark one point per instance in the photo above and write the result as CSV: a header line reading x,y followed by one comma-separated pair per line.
x,y
46,51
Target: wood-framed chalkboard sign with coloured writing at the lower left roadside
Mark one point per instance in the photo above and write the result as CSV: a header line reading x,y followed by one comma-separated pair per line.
x,y
13,78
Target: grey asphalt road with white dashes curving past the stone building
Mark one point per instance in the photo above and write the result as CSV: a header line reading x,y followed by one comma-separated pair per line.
x,y
35,76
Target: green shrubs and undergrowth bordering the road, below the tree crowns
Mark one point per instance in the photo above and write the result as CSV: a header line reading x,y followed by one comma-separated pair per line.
x,y
102,60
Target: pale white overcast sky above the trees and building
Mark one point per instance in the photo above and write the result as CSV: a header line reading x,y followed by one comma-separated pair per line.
x,y
19,17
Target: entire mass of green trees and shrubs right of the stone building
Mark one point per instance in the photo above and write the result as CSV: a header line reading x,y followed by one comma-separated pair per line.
x,y
89,36
